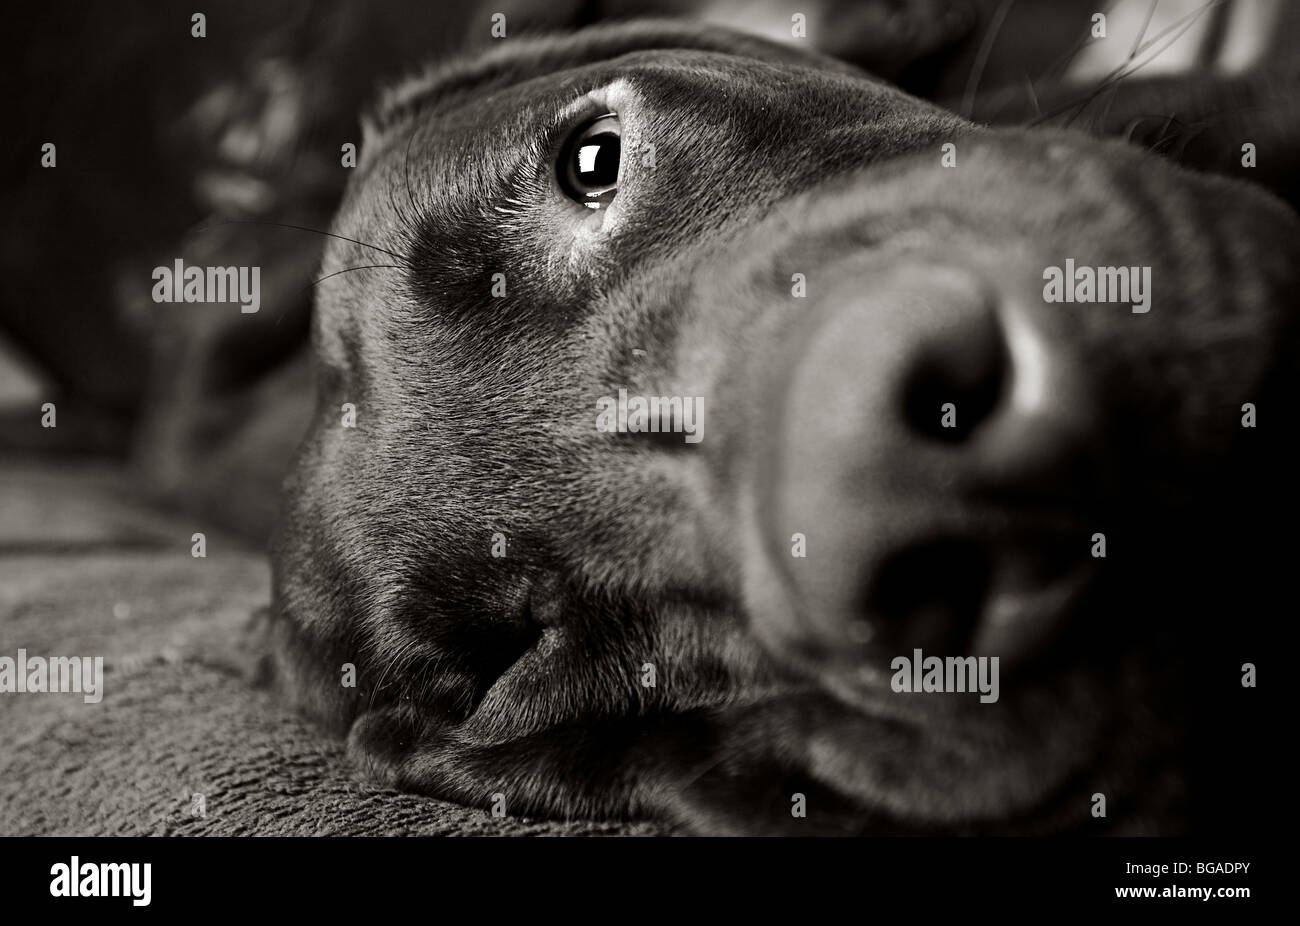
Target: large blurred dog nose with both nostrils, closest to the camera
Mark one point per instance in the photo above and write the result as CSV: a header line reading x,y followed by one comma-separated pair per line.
x,y
924,483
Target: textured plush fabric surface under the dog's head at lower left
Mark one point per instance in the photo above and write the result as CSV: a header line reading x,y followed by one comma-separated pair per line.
x,y
88,572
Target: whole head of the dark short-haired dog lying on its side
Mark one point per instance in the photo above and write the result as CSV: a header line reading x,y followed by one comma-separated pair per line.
x,y
887,442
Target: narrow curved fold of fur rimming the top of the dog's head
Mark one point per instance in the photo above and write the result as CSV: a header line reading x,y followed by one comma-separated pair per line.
x,y
519,60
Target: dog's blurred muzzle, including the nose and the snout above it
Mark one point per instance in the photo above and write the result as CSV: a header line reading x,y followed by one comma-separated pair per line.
x,y
947,439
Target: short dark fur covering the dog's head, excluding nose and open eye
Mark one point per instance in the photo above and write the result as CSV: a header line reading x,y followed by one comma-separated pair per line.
x,y
522,676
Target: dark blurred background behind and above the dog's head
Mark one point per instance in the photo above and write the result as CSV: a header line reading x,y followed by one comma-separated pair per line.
x,y
170,146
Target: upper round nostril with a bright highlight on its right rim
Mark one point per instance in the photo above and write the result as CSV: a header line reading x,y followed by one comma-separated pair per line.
x,y
956,382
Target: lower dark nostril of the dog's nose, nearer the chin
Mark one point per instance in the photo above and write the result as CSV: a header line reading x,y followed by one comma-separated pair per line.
x,y
929,596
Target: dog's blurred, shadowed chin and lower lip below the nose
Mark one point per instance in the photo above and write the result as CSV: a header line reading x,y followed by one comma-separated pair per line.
x,y
1034,761
